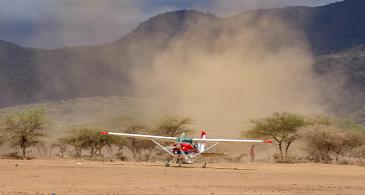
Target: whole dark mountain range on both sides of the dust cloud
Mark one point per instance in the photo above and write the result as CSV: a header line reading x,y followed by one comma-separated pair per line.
x,y
335,34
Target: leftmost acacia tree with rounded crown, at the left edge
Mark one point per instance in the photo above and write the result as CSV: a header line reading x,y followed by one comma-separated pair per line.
x,y
25,129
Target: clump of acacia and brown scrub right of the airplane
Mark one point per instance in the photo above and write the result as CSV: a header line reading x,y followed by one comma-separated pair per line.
x,y
325,139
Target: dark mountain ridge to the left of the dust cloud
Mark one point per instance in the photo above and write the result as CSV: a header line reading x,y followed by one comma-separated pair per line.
x,y
33,75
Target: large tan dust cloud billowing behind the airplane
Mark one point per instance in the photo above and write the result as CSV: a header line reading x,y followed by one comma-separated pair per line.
x,y
222,74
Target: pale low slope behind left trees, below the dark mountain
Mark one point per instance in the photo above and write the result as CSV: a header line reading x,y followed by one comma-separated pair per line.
x,y
95,112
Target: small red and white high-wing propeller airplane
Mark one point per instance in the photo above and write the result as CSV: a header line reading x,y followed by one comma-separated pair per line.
x,y
186,149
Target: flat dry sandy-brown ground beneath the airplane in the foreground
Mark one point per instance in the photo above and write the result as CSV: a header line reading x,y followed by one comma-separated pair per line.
x,y
68,177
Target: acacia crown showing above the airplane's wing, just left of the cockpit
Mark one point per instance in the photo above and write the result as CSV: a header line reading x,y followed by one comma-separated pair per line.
x,y
173,126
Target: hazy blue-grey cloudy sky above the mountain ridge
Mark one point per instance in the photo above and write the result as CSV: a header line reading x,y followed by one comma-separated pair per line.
x,y
57,23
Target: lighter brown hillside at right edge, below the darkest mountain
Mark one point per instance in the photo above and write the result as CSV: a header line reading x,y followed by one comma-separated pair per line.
x,y
349,67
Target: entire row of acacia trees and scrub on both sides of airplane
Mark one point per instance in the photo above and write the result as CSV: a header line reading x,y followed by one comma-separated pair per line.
x,y
325,139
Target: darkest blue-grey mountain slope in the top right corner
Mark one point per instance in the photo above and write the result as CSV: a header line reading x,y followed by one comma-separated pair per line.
x,y
329,29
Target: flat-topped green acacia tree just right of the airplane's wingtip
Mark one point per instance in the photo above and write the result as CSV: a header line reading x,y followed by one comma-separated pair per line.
x,y
281,127
